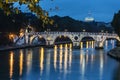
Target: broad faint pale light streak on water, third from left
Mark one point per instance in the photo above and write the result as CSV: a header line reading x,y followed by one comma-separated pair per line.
x,y
29,60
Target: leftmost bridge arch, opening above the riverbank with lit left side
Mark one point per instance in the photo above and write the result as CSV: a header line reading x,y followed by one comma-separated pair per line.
x,y
38,39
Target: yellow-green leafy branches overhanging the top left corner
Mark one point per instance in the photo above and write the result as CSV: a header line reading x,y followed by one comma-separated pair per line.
x,y
33,5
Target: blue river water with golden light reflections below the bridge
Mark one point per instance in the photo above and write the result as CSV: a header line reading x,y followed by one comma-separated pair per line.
x,y
59,63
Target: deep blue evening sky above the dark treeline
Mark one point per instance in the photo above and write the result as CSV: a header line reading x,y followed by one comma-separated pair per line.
x,y
101,10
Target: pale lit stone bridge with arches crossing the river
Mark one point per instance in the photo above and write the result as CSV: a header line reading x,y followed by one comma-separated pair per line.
x,y
75,37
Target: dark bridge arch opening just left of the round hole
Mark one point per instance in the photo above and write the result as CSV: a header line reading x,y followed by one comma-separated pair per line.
x,y
62,39
